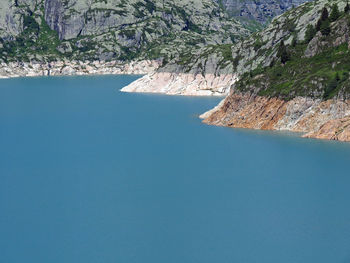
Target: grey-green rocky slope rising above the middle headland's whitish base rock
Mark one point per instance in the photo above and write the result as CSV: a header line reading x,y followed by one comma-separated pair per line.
x,y
258,50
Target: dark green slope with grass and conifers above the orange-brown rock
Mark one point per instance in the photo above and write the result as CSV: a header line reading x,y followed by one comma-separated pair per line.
x,y
318,67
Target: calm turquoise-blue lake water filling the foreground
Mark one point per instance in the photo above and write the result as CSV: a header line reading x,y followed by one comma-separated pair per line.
x,y
89,174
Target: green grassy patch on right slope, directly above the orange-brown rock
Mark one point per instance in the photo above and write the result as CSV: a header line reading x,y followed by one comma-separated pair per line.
x,y
321,76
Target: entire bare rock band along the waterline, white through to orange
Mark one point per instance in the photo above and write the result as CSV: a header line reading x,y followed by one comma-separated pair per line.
x,y
313,117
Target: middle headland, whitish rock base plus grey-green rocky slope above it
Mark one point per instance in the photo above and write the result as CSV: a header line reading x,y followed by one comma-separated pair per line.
x,y
214,68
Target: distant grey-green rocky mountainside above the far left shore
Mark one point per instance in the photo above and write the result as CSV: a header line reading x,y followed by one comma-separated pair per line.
x,y
111,29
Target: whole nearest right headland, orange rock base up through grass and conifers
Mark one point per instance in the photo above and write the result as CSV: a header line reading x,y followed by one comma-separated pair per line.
x,y
302,84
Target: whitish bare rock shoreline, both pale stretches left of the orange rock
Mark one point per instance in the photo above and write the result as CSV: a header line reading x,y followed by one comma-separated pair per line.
x,y
186,84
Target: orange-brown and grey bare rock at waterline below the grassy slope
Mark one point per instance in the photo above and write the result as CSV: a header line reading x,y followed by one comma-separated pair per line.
x,y
318,119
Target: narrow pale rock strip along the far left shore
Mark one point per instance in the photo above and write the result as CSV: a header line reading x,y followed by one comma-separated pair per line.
x,y
66,68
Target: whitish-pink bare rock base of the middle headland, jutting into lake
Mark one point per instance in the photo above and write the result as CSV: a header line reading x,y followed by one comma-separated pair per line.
x,y
183,84
